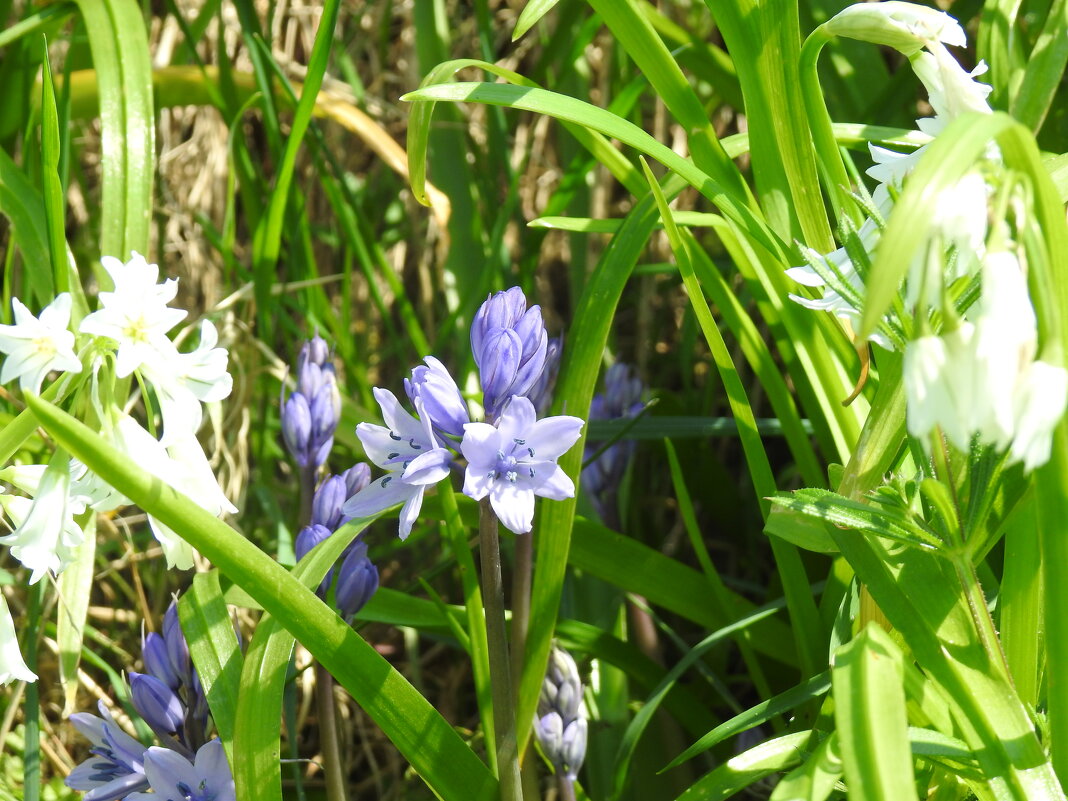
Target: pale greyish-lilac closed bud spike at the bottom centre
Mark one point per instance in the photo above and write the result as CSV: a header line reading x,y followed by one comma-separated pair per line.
x,y
561,725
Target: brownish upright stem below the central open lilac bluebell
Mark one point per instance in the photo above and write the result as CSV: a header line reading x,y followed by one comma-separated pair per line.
x,y
505,713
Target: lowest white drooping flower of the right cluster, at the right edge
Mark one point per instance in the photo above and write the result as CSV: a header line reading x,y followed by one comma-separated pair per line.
x,y
1042,398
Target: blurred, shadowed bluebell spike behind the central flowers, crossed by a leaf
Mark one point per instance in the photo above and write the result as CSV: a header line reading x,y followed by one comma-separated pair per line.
x,y
621,399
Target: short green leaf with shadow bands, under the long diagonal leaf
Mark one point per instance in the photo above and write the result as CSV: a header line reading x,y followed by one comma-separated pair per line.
x,y
213,646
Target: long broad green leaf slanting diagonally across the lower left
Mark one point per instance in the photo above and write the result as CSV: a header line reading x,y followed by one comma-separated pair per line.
x,y
421,734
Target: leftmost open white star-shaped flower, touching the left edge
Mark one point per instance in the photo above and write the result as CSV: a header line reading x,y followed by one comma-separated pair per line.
x,y
36,347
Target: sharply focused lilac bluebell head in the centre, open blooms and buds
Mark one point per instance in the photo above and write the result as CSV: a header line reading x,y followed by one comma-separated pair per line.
x,y
511,459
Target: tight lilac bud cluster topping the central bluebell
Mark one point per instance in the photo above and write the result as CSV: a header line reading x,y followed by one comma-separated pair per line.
x,y
510,343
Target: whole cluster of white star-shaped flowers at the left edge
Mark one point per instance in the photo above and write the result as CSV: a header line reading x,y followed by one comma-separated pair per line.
x,y
128,336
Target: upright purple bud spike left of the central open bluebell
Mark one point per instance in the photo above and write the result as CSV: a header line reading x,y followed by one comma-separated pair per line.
x,y
310,415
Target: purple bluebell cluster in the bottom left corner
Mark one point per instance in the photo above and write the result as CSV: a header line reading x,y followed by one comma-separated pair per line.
x,y
170,699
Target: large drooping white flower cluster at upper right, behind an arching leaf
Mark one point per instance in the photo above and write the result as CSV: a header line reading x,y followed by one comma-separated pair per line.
x,y
982,375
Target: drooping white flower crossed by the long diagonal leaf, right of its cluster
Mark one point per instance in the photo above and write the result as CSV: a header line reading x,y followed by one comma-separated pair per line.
x,y
183,466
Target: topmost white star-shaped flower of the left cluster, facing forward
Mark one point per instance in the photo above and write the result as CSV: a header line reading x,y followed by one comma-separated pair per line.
x,y
135,315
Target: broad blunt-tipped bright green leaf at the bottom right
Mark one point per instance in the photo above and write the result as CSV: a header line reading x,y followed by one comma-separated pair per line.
x,y
871,718
